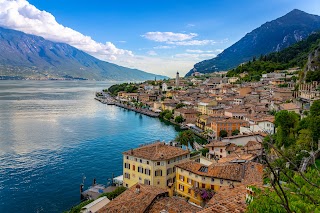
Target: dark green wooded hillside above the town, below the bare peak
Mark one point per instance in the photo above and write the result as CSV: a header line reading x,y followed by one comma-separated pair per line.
x,y
304,54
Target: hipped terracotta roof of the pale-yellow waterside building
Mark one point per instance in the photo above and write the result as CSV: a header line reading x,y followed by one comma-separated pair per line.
x,y
156,151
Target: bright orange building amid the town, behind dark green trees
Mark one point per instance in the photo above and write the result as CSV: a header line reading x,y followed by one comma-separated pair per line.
x,y
229,125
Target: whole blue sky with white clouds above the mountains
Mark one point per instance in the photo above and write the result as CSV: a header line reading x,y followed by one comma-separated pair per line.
x,y
160,37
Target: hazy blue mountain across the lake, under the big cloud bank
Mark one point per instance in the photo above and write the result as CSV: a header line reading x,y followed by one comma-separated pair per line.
x,y
25,56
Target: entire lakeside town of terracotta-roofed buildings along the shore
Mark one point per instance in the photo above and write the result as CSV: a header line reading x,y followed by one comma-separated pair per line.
x,y
233,117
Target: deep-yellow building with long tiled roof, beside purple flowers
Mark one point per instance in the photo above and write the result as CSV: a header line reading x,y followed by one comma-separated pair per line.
x,y
193,177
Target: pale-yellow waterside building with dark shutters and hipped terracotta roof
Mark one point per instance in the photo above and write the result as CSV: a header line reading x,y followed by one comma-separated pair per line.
x,y
152,164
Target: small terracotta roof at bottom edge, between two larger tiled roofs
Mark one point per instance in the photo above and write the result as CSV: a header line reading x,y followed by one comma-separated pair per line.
x,y
172,205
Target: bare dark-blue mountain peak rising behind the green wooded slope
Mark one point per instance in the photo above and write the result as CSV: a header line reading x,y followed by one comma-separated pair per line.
x,y
270,37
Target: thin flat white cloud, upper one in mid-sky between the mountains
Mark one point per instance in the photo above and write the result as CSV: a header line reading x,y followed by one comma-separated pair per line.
x,y
168,36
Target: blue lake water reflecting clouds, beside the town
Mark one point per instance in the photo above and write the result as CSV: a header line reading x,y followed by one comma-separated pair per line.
x,y
52,133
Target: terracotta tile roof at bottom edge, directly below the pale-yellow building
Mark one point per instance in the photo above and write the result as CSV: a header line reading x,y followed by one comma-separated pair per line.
x,y
132,202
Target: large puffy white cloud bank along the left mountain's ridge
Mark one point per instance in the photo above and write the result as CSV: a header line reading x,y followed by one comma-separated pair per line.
x,y
21,15
